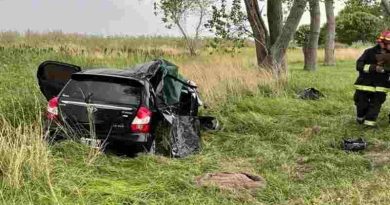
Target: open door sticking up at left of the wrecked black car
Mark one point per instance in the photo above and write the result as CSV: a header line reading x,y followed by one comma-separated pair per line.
x,y
53,76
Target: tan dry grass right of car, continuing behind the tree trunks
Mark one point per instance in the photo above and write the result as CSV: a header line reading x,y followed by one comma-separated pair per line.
x,y
221,76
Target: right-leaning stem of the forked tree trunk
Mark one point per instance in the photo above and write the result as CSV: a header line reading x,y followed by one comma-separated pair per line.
x,y
278,49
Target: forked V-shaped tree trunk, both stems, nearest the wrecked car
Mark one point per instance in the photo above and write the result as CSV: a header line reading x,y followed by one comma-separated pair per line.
x,y
269,55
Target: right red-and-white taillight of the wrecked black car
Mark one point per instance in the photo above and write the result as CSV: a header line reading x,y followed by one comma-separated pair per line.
x,y
141,122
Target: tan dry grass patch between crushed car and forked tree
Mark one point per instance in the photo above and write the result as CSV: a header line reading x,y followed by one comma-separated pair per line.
x,y
219,77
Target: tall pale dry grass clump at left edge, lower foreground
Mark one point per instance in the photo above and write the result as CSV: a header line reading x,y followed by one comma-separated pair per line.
x,y
24,155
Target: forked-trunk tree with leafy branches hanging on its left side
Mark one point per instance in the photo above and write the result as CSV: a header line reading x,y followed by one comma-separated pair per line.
x,y
270,44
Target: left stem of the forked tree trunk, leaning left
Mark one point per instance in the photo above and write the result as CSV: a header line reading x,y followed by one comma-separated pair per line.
x,y
260,33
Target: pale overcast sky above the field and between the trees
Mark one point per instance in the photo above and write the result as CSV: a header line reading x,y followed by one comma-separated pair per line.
x,y
102,17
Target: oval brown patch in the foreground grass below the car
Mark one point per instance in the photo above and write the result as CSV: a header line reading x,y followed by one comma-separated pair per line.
x,y
227,180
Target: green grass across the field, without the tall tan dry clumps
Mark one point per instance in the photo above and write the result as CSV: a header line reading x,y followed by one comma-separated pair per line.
x,y
269,134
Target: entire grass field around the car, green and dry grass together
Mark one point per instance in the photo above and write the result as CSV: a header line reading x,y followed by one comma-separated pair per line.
x,y
293,144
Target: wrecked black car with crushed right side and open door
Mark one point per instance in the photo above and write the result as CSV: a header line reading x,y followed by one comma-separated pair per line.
x,y
130,107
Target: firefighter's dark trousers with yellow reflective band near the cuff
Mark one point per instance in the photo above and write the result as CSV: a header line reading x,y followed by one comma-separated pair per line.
x,y
368,105
